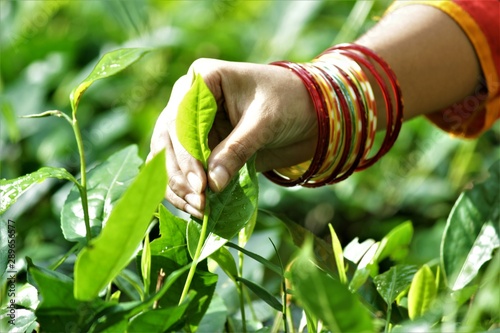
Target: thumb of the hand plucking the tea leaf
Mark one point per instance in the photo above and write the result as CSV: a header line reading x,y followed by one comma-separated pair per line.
x,y
230,155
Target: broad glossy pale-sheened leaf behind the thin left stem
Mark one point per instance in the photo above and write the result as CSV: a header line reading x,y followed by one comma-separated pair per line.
x,y
105,185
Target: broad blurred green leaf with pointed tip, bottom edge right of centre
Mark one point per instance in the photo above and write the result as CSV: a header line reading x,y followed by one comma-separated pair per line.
x,y
327,299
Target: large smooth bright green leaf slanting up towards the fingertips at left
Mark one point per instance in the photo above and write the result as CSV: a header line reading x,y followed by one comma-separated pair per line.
x,y
112,250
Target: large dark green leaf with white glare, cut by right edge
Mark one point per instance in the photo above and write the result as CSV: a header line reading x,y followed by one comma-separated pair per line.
x,y
472,231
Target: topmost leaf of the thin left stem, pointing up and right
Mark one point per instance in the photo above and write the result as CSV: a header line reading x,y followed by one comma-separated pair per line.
x,y
110,64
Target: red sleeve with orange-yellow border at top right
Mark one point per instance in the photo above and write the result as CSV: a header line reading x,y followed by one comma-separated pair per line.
x,y
480,20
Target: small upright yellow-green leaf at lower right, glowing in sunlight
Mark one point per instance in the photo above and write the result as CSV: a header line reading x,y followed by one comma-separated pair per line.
x,y
422,292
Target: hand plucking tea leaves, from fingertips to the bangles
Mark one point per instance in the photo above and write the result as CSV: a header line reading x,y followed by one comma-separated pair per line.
x,y
262,109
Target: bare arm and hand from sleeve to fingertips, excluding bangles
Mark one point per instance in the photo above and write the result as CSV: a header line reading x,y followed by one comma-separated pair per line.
x,y
265,109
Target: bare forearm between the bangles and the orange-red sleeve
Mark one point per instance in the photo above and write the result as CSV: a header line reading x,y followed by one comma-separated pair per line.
x,y
434,61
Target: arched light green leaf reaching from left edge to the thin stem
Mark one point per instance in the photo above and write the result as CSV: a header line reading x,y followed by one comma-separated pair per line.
x,y
12,189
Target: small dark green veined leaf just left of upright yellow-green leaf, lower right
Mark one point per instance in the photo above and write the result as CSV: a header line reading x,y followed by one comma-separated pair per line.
x,y
391,283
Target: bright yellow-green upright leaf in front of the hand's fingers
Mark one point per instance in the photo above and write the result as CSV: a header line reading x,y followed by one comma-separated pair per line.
x,y
194,119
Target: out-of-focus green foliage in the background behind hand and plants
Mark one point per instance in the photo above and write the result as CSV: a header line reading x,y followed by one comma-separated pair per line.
x,y
47,47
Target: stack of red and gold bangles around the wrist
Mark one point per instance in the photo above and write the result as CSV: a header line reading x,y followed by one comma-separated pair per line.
x,y
346,112
